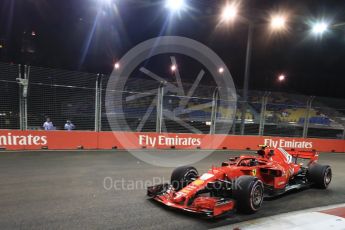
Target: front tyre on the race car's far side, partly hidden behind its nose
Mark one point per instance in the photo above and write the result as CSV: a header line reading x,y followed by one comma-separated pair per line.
x,y
182,176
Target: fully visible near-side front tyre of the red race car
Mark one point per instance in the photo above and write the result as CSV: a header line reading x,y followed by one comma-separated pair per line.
x,y
248,193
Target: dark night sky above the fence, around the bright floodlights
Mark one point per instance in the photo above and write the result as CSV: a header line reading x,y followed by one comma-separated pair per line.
x,y
313,66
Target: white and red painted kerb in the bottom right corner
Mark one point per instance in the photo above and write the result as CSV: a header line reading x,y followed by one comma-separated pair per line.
x,y
328,217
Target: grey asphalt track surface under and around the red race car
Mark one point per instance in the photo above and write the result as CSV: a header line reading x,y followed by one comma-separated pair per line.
x,y
65,190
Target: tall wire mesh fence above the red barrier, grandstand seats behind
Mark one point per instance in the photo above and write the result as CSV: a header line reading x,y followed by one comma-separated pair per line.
x,y
80,97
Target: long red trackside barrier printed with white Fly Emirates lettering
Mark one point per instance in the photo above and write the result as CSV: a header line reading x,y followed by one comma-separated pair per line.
x,y
21,140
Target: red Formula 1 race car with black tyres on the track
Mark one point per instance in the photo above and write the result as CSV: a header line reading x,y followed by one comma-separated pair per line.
x,y
242,182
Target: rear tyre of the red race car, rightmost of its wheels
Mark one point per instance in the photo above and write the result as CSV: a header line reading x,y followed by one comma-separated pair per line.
x,y
320,175
